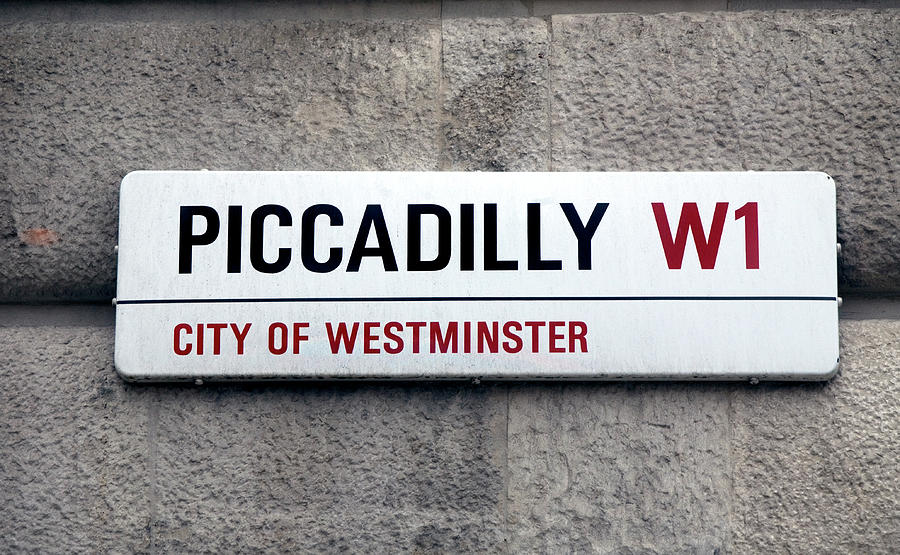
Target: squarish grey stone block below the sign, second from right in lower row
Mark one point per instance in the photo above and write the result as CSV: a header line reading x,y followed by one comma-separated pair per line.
x,y
619,468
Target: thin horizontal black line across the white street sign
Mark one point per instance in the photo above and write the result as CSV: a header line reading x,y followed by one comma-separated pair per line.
x,y
466,299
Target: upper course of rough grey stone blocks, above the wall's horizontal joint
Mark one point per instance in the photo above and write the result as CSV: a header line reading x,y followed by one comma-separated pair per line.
x,y
713,91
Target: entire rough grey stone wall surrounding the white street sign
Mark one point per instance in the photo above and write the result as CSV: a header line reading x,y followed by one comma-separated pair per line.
x,y
89,463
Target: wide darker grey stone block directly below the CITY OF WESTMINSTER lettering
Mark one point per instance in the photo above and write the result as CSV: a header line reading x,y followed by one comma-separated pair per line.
x,y
313,468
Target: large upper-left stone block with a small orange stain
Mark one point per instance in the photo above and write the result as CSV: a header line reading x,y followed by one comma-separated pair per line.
x,y
81,105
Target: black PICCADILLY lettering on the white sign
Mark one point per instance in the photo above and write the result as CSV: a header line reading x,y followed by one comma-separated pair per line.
x,y
374,224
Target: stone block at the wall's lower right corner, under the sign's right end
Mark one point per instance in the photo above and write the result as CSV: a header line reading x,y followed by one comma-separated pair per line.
x,y
817,467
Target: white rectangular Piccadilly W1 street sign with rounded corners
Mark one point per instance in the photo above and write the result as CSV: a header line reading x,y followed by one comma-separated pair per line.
x,y
429,275
